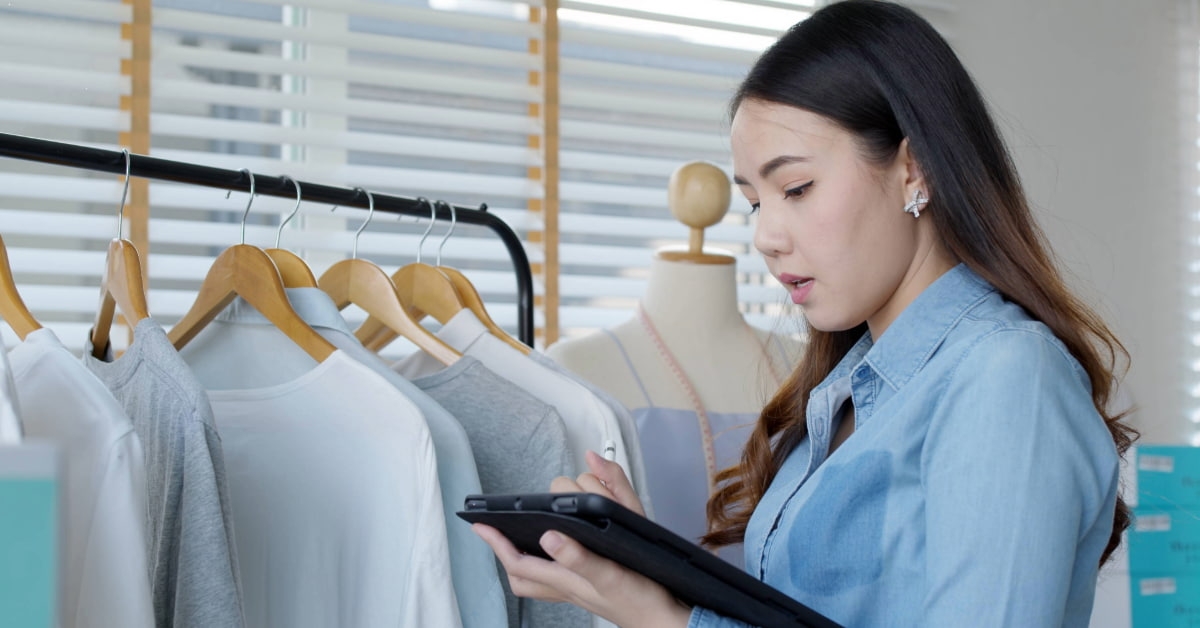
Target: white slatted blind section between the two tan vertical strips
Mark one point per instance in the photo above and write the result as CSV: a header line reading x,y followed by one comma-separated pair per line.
x,y
413,99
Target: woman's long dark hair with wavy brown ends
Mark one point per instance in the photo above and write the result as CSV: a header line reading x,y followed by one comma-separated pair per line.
x,y
885,75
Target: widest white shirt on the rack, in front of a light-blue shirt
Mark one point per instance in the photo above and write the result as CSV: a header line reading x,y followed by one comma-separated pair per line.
x,y
338,509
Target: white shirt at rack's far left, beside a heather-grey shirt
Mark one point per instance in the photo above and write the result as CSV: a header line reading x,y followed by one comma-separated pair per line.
x,y
106,581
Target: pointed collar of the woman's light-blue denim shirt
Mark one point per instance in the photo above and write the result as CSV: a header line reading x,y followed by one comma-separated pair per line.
x,y
898,356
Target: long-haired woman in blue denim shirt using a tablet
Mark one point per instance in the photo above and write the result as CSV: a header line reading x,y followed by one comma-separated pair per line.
x,y
944,456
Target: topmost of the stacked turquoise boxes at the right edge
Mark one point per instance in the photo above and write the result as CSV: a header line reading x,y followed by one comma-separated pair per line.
x,y
1169,477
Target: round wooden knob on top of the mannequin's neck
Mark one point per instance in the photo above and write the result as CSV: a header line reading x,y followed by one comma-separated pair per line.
x,y
699,196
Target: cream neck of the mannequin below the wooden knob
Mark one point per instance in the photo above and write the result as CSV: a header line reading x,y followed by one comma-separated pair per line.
x,y
685,298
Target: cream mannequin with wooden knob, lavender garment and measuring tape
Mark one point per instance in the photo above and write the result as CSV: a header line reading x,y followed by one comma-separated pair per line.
x,y
691,302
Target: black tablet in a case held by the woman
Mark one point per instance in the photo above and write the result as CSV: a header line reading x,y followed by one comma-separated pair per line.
x,y
687,571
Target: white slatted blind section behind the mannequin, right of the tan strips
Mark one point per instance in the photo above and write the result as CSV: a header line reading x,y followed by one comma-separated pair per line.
x,y
645,89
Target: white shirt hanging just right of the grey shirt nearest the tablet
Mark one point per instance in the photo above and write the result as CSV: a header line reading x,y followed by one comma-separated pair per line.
x,y
590,423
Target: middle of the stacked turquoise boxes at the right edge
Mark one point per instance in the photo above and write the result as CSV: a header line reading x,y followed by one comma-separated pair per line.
x,y
1165,542
